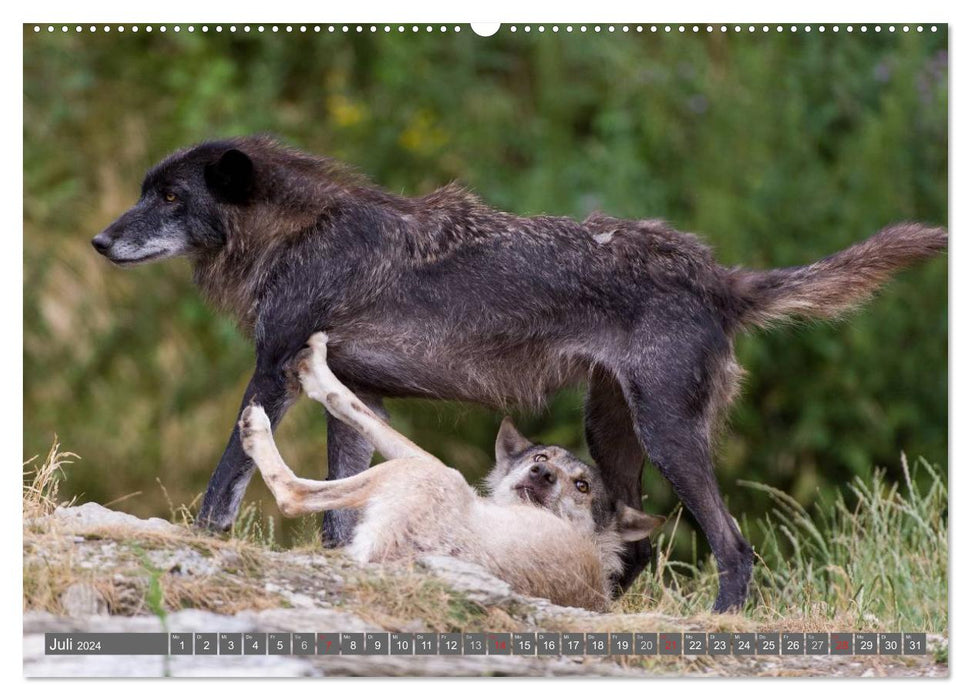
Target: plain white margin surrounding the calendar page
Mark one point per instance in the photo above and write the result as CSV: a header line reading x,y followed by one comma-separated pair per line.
x,y
494,10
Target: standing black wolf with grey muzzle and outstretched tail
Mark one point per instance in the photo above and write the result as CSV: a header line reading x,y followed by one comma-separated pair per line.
x,y
442,296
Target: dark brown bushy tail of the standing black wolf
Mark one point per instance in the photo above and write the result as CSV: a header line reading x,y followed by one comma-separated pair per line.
x,y
837,283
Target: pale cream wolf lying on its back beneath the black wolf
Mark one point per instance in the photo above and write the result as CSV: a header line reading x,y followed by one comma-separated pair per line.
x,y
548,529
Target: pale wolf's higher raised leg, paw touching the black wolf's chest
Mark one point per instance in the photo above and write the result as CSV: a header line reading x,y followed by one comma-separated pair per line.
x,y
320,384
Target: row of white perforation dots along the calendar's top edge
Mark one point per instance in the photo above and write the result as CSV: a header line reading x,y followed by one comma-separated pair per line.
x,y
414,28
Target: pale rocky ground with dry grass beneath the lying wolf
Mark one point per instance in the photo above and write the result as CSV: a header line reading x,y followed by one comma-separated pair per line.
x,y
91,569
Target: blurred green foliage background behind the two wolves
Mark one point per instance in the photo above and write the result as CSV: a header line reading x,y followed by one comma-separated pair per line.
x,y
777,148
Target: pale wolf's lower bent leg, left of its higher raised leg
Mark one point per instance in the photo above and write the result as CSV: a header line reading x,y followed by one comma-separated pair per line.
x,y
294,495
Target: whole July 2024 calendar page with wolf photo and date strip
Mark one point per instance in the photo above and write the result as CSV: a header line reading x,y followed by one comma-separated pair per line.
x,y
515,349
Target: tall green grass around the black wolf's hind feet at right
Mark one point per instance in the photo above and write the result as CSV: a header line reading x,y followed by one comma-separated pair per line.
x,y
875,558
